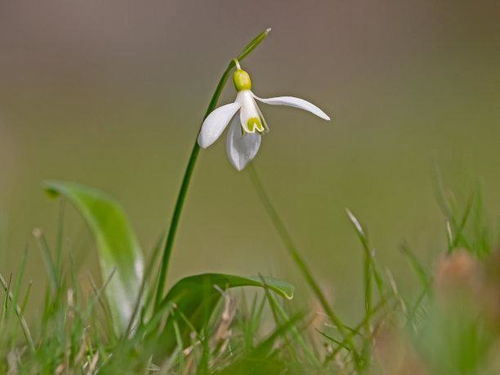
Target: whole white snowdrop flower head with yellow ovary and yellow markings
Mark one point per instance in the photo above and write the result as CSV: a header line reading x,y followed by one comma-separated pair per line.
x,y
244,135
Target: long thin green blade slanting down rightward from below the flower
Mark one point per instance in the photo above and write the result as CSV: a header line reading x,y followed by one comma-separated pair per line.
x,y
299,260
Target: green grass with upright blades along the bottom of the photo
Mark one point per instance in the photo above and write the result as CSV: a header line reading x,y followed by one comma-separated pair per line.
x,y
203,327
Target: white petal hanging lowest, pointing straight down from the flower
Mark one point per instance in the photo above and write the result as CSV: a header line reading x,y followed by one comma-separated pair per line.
x,y
241,147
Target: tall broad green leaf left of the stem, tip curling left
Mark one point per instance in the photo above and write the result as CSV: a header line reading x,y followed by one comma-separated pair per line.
x,y
119,252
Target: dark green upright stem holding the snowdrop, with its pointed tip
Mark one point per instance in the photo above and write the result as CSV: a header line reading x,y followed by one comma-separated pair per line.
x,y
181,197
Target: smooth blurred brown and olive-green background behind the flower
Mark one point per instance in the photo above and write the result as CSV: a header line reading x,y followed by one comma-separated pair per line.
x,y
111,94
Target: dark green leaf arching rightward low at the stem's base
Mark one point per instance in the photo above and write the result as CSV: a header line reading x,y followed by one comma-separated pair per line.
x,y
194,298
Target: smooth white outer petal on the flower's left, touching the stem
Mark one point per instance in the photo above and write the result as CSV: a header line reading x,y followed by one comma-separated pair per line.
x,y
215,123
